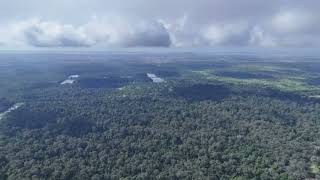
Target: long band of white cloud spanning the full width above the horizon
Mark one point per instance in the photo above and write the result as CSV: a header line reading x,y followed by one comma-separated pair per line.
x,y
275,28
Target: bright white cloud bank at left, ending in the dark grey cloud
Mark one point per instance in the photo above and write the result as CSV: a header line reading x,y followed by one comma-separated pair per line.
x,y
39,33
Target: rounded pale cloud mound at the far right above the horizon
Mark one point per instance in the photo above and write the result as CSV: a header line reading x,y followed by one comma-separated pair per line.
x,y
290,28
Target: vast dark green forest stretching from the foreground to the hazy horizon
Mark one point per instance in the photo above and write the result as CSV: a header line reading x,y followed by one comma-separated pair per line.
x,y
205,121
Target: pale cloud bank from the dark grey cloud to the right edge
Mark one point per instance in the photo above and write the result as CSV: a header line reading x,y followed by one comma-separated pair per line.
x,y
284,29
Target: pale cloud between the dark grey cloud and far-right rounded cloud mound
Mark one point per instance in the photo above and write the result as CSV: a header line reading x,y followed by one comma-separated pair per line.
x,y
184,33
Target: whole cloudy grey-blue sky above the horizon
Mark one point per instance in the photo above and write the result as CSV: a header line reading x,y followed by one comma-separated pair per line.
x,y
96,24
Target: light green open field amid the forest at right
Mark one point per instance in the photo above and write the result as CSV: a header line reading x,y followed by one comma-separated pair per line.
x,y
286,79
